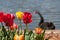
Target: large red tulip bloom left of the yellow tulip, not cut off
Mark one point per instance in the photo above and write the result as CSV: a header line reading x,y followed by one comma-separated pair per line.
x,y
8,19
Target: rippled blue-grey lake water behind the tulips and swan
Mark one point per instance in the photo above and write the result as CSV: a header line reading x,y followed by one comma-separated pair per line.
x,y
50,9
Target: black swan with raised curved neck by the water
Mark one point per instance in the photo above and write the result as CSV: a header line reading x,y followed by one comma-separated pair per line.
x,y
45,25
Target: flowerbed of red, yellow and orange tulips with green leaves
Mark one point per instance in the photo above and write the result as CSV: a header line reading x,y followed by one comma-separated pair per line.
x,y
12,31
